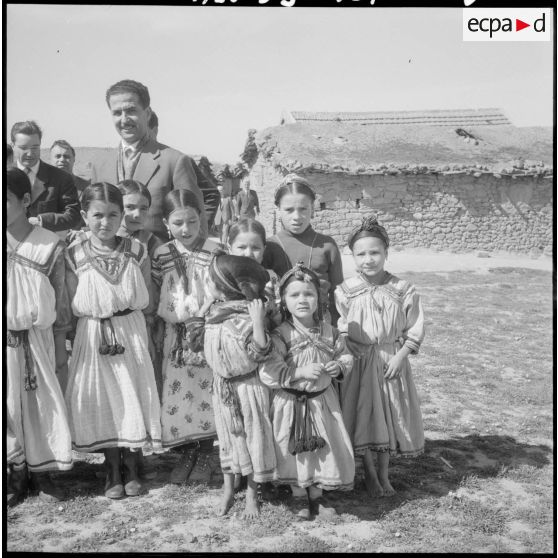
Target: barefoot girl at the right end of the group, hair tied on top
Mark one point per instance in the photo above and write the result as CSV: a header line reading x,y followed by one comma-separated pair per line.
x,y
383,318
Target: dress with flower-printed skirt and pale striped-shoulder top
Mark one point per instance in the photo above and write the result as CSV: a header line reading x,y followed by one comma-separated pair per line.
x,y
187,410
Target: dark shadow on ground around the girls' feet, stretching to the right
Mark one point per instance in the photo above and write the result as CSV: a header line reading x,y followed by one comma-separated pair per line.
x,y
441,469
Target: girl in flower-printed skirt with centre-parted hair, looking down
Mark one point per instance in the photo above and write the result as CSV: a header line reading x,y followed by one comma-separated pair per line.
x,y
180,272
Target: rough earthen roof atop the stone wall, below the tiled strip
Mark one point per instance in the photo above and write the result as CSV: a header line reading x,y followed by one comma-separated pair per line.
x,y
390,149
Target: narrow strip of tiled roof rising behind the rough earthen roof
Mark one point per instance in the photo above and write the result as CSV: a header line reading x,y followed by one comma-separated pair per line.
x,y
461,117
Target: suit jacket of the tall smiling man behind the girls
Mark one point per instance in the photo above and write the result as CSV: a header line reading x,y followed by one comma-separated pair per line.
x,y
162,168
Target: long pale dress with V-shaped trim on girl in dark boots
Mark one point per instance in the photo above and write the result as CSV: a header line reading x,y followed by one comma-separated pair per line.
x,y
112,398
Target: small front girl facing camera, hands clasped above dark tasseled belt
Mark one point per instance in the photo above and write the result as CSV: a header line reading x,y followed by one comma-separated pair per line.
x,y
312,446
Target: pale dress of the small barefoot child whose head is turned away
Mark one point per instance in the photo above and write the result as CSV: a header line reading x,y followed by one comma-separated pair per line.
x,y
240,400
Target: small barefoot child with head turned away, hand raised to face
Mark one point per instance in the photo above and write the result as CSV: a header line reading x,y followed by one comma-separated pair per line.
x,y
235,343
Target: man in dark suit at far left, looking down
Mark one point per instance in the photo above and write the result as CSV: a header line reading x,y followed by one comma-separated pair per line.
x,y
54,198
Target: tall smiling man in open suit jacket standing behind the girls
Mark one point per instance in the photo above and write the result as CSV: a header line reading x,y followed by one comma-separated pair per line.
x,y
140,157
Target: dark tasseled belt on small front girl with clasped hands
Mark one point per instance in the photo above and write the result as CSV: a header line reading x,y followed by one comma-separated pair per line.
x,y
304,434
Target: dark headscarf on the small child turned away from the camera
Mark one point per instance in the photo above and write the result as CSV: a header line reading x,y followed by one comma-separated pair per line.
x,y
238,277
